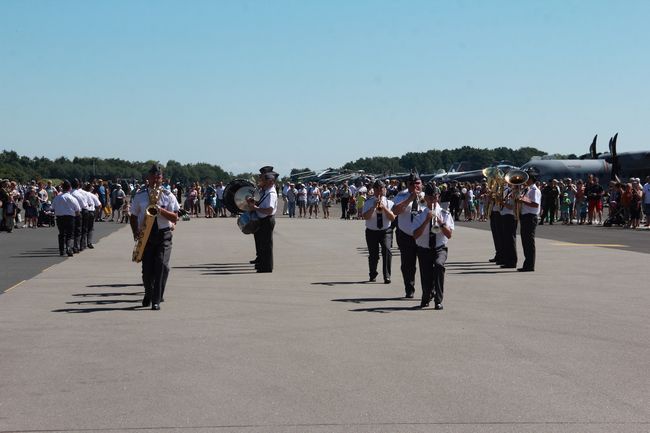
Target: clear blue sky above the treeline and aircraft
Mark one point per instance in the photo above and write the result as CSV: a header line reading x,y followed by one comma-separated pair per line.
x,y
314,83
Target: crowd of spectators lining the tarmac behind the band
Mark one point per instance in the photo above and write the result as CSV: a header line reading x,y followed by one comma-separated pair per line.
x,y
565,201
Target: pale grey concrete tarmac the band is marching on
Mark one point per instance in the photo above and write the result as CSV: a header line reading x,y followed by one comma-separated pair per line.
x,y
312,347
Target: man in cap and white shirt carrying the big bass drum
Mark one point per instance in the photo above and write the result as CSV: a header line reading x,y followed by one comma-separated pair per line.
x,y
265,208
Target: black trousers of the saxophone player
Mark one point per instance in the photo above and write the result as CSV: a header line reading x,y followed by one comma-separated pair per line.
x,y
155,264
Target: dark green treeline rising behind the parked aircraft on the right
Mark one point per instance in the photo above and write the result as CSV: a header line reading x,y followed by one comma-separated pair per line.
x,y
433,160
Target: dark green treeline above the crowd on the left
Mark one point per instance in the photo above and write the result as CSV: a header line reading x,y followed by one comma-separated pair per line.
x,y
24,169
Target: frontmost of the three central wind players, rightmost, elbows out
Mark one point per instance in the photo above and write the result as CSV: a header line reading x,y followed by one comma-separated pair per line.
x,y
432,229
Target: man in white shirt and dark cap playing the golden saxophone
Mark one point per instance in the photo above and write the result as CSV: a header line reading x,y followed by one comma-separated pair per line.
x,y
155,260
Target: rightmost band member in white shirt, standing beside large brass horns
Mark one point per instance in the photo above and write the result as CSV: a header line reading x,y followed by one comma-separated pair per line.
x,y
531,201
